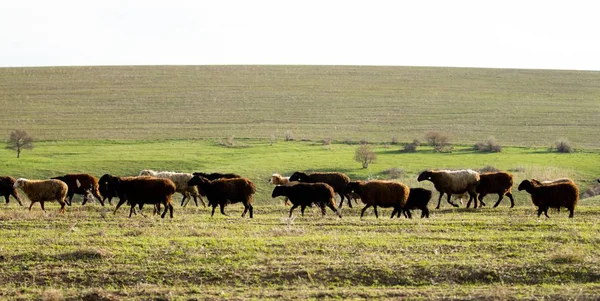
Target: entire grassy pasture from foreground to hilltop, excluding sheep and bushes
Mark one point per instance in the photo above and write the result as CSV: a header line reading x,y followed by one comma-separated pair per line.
x,y
121,120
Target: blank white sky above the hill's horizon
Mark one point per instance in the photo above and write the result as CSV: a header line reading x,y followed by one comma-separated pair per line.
x,y
498,34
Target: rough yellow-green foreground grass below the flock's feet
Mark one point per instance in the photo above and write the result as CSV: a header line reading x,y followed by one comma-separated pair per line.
x,y
491,253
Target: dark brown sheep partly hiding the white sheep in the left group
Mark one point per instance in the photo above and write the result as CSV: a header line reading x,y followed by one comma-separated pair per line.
x,y
143,190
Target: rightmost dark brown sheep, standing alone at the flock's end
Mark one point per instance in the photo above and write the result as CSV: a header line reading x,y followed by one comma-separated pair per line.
x,y
561,194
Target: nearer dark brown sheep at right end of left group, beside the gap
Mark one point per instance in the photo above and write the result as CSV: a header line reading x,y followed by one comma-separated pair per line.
x,y
225,191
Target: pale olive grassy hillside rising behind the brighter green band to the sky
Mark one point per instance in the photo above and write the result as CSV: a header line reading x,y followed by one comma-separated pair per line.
x,y
518,107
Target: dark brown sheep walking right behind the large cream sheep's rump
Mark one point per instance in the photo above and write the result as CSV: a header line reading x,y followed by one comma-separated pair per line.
x,y
495,182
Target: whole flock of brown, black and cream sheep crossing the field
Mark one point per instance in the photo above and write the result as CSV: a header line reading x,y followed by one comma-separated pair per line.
x,y
301,190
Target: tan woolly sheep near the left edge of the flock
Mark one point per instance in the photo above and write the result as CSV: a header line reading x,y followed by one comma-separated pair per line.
x,y
44,191
